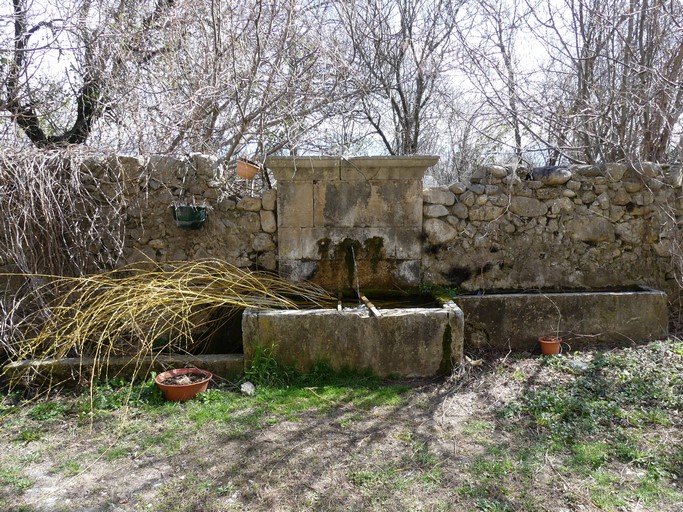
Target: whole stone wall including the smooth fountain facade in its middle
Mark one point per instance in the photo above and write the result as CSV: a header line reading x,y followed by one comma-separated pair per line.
x,y
577,227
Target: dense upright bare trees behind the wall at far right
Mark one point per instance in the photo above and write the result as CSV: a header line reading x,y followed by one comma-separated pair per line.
x,y
616,67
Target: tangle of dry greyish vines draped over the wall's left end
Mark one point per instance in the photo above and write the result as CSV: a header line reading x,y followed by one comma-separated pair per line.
x,y
61,215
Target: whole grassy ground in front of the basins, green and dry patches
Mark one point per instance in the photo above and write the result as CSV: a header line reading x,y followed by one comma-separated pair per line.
x,y
607,433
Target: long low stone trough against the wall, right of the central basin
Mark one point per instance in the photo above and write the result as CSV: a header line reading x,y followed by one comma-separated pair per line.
x,y
514,321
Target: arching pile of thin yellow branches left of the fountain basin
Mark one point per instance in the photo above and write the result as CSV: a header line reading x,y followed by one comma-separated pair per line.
x,y
144,309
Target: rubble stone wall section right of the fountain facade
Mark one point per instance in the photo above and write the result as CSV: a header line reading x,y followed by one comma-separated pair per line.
x,y
579,227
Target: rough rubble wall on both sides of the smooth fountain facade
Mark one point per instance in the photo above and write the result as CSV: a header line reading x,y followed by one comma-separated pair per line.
x,y
576,227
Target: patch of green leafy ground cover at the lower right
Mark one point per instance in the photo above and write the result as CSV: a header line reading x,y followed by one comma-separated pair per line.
x,y
612,408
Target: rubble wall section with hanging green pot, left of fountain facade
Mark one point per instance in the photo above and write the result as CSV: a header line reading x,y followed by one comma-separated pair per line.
x,y
242,231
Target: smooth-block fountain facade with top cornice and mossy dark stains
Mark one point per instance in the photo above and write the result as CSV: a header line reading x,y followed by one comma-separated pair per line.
x,y
351,223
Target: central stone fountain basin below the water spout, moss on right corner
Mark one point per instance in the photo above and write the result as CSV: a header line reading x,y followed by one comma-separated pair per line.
x,y
405,342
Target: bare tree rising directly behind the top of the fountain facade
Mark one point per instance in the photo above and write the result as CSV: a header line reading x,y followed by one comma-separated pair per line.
x,y
401,51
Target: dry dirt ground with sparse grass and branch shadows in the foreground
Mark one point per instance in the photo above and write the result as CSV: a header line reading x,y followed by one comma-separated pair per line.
x,y
441,447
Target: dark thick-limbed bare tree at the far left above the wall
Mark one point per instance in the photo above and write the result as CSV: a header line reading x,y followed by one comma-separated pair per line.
x,y
64,59
